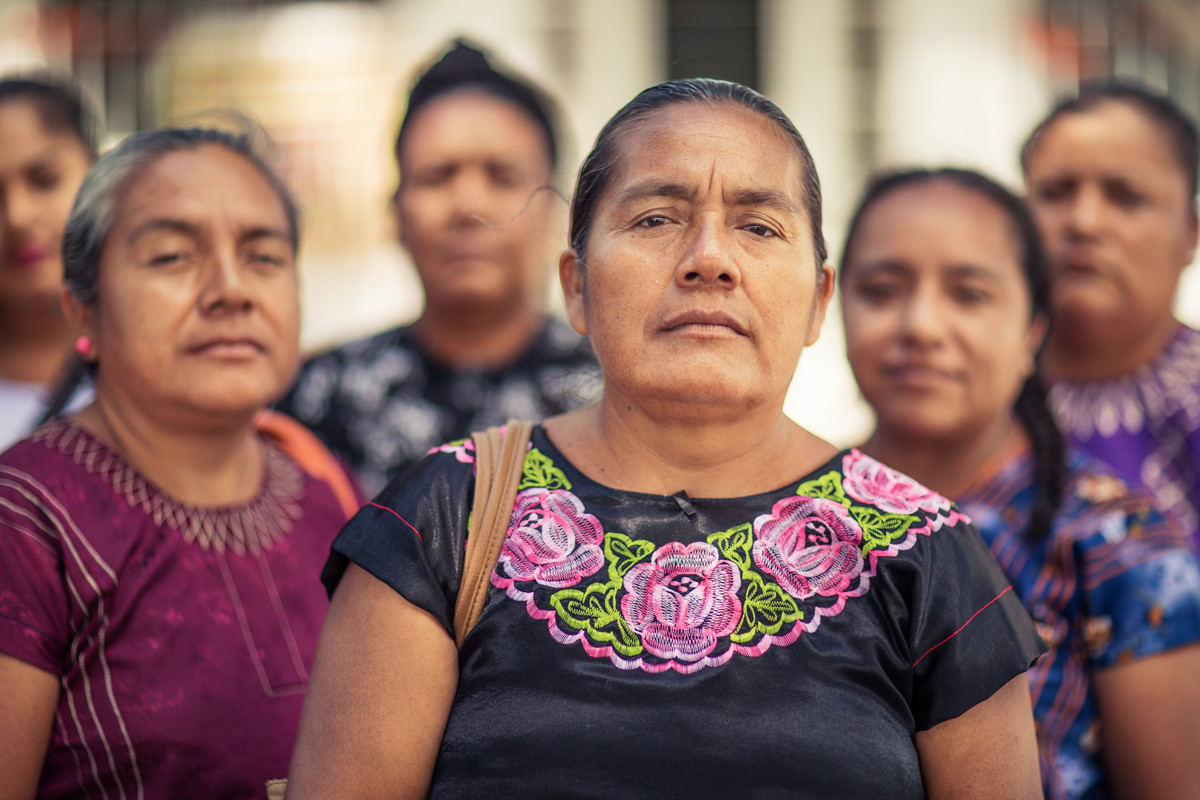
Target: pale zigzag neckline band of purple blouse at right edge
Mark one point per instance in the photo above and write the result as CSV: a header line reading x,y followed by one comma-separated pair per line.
x,y
1155,392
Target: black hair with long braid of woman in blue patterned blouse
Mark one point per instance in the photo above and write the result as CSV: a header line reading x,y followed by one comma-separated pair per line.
x,y
1033,406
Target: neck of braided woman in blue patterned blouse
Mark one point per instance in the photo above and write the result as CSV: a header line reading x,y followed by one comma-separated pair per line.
x,y
949,467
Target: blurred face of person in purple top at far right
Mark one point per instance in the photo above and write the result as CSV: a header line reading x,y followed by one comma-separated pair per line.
x,y
1113,206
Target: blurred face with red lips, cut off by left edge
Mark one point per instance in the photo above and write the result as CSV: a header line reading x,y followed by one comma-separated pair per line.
x,y
40,172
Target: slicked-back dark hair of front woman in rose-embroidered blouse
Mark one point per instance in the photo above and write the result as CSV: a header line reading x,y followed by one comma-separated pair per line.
x,y
597,172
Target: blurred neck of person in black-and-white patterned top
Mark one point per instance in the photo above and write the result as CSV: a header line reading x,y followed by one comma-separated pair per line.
x,y
478,340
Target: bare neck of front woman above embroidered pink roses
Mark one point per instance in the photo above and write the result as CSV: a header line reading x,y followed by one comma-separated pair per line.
x,y
730,455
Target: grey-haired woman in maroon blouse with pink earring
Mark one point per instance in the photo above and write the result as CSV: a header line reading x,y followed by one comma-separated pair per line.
x,y
159,597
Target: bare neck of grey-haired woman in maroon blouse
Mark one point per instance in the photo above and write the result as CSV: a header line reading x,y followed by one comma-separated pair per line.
x,y
214,466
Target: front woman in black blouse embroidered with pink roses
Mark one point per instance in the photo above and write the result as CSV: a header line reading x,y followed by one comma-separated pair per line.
x,y
697,597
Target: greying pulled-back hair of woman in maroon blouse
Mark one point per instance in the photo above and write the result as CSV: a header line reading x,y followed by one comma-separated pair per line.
x,y
97,204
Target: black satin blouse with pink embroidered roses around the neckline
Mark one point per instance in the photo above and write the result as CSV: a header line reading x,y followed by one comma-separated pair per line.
x,y
789,643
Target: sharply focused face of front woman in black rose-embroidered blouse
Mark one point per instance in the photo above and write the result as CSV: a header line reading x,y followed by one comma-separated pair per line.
x,y
700,286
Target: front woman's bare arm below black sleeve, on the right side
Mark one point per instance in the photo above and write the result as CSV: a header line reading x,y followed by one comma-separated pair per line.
x,y
988,754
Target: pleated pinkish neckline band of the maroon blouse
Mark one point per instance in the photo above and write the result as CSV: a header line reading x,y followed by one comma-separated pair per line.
x,y
253,527
